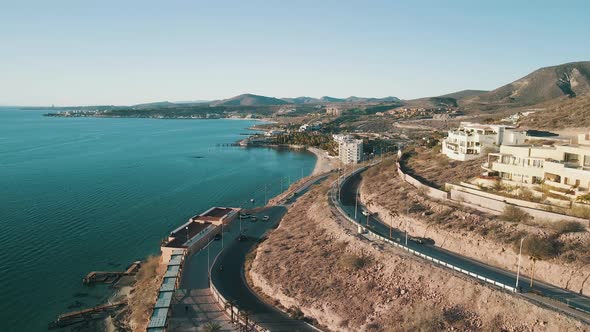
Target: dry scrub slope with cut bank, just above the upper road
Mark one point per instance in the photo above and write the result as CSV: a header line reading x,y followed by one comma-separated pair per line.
x,y
562,249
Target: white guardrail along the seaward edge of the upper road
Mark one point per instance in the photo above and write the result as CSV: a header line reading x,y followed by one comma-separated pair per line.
x,y
336,202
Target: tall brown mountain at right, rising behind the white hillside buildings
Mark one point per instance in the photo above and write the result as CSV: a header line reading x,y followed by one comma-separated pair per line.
x,y
569,80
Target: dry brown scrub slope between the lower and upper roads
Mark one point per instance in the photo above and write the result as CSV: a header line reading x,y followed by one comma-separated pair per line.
x,y
317,268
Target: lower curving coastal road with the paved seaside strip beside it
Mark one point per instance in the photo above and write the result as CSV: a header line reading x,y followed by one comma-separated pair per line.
x,y
194,286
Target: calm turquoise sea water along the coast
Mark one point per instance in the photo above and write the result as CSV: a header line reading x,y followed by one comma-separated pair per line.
x,y
82,194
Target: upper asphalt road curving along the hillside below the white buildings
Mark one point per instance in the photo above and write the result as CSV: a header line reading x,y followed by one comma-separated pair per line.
x,y
551,294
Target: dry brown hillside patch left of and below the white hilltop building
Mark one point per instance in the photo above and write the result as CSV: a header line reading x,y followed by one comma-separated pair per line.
x,y
435,169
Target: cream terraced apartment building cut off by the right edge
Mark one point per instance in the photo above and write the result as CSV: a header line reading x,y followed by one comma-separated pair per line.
x,y
560,165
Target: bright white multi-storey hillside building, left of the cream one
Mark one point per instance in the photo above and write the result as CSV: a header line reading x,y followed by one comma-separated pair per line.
x,y
470,140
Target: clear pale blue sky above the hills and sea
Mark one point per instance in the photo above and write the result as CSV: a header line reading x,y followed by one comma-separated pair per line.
x,y
125,52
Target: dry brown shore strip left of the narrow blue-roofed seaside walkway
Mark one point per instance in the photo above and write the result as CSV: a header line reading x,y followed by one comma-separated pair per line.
x,y
143,296
